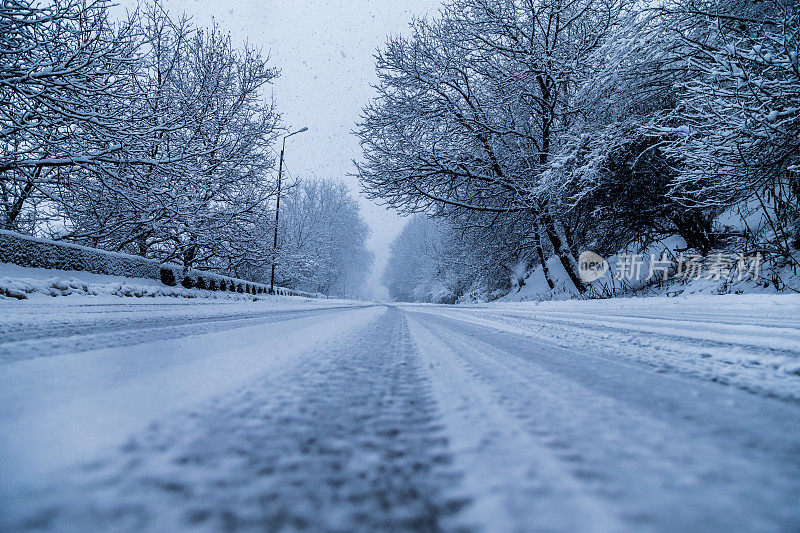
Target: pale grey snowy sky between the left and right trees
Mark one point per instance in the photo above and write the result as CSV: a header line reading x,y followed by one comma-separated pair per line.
x,y
324,49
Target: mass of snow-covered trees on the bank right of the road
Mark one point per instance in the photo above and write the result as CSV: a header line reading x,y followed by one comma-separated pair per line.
x,y
554,126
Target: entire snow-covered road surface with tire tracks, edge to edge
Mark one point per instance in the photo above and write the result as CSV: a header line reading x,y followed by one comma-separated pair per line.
x,y
227,416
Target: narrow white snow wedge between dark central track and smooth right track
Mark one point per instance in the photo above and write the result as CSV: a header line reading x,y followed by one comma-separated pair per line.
x,y
516,483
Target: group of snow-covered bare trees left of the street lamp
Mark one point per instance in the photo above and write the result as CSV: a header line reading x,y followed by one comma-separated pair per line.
x,y
144,135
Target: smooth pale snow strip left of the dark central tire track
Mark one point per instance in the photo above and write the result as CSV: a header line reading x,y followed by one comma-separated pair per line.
x,y
90,400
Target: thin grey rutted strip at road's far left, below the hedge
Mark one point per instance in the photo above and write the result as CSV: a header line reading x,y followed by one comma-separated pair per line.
x,y
31,329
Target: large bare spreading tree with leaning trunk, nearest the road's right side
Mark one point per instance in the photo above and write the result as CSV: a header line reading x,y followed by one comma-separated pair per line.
x,y
472,106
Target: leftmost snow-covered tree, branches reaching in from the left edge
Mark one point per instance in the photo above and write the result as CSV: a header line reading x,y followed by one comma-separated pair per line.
x,y
63,98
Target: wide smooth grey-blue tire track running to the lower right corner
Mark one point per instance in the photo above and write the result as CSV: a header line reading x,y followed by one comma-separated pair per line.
x,y
661,453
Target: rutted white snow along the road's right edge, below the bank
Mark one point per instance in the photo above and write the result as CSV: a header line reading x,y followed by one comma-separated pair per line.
x,y
749,341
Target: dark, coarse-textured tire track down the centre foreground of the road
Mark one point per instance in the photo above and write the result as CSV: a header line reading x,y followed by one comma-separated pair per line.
x,y
349,440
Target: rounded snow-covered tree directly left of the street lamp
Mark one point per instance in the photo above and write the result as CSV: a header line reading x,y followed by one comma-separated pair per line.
x,y
208,176
